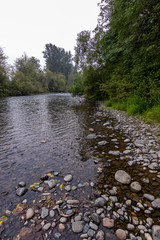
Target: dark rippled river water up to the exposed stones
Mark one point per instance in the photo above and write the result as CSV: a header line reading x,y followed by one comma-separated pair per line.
x,y
44,133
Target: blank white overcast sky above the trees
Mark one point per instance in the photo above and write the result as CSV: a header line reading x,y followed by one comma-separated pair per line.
x,y
27,25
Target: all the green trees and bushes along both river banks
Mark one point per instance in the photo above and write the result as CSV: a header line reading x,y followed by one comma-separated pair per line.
x,y
119,61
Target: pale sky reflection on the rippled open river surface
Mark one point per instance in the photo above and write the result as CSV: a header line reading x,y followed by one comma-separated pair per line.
x,y
39,133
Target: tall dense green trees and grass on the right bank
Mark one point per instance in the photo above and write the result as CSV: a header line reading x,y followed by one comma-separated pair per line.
x,y
120,60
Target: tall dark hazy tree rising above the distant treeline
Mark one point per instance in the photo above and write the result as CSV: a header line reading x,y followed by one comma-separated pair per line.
x,y
58,60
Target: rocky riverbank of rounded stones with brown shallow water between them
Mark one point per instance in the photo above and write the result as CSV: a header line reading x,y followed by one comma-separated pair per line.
x,y
125,205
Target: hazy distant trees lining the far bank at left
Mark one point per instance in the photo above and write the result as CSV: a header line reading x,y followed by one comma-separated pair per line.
x,y
26,76
